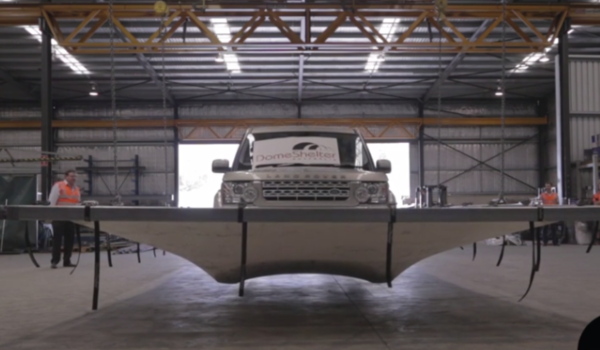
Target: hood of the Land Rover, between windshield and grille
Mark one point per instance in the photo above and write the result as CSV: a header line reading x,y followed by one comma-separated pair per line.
x,y
305,173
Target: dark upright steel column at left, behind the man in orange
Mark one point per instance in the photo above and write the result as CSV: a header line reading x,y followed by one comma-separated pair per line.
x,y
46,107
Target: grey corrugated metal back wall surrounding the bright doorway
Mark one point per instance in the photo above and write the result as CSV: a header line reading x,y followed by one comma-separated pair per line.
x,y
479,142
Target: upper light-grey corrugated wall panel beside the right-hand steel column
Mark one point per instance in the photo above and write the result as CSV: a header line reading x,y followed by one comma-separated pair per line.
x,y
584,84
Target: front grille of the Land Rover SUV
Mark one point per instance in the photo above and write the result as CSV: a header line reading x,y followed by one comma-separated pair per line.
x,y
305,190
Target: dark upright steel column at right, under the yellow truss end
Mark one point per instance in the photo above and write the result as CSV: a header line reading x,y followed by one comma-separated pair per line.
x,y
563,117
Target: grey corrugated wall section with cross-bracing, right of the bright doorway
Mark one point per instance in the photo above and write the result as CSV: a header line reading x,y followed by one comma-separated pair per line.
x,y
461,150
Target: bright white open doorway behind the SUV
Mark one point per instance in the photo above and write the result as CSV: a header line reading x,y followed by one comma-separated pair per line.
x,y
198,184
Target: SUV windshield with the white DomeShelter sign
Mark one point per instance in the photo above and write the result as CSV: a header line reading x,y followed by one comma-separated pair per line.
x,y
303,148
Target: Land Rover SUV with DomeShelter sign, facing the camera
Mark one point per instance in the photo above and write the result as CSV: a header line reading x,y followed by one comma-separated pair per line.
x,y
303,166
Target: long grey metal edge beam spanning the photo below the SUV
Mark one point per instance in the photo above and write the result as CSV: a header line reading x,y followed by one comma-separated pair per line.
x,y
275,215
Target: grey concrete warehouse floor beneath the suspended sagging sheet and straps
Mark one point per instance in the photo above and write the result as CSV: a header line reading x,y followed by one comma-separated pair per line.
x,y
445,302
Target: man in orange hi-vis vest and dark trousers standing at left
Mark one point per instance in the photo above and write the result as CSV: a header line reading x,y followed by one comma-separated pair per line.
x,y
64,192
